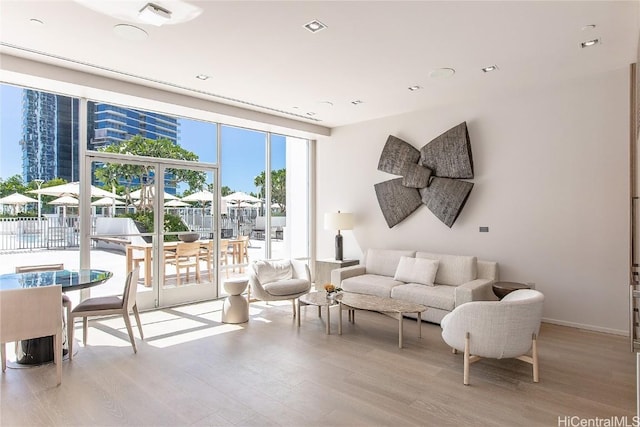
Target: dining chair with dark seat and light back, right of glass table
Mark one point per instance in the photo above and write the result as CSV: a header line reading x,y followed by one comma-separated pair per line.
x,y
103,306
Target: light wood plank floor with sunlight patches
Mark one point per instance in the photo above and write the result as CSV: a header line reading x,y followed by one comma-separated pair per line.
x,y
193,370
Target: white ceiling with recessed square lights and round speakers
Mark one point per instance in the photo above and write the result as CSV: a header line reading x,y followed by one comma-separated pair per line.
x,y
260,57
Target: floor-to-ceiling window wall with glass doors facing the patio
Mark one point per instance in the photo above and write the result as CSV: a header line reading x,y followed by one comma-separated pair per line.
x,y
40,147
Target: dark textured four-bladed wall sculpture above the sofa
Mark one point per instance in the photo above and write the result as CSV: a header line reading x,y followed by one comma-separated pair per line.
x,y
431,176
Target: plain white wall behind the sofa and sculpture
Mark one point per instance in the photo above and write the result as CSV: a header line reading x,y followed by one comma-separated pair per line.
x,y
551,183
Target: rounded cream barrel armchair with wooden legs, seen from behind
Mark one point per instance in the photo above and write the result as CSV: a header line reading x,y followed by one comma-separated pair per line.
x,y
496,329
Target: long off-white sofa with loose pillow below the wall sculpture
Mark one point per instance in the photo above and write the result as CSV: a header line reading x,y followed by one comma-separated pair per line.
x,y
440,282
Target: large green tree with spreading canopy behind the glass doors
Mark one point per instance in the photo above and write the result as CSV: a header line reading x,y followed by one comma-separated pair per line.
x,y
143,176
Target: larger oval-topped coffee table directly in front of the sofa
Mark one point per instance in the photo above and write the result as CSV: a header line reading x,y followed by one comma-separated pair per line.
x,y
388,306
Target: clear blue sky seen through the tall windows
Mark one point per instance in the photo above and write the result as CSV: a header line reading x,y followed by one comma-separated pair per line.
x,y
243,150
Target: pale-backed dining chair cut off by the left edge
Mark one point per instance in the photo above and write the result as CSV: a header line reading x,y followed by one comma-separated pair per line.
x,y
28,313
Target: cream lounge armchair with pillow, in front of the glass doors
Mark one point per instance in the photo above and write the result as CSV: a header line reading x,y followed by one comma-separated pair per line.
x,y
278,280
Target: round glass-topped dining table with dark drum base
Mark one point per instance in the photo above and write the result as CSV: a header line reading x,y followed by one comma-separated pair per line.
x,y
40,350
